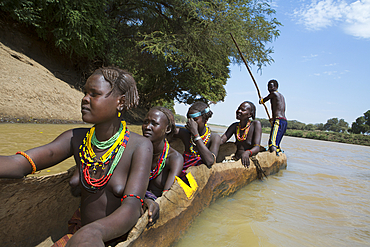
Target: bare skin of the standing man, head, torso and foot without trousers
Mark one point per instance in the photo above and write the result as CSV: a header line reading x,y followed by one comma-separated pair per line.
x,y
277,103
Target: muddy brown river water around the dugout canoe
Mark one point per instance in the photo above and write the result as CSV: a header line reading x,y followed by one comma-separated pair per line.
x,y
322,198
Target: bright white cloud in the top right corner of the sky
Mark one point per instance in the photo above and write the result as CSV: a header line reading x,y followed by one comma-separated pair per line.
x,y
353,17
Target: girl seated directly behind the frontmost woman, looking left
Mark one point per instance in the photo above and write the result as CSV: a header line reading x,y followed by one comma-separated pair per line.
x,y
158,125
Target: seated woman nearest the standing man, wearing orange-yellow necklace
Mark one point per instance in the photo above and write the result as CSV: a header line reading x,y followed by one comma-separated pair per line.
x,y
247,133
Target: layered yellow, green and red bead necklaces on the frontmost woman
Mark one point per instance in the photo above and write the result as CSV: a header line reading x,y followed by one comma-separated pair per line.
x,y
116,144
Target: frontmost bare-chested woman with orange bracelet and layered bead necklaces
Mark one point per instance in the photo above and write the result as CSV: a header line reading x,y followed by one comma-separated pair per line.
x,y
113,164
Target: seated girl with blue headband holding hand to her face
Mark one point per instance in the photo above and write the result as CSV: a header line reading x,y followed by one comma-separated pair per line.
x,y
201,146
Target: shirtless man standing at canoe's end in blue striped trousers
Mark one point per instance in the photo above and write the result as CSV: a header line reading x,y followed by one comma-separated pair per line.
x,y
278,115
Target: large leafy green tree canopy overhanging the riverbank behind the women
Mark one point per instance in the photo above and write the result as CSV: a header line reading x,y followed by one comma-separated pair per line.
x,y
177,50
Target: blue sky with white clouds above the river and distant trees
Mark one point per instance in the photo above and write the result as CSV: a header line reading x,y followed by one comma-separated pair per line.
x,y
322,64
